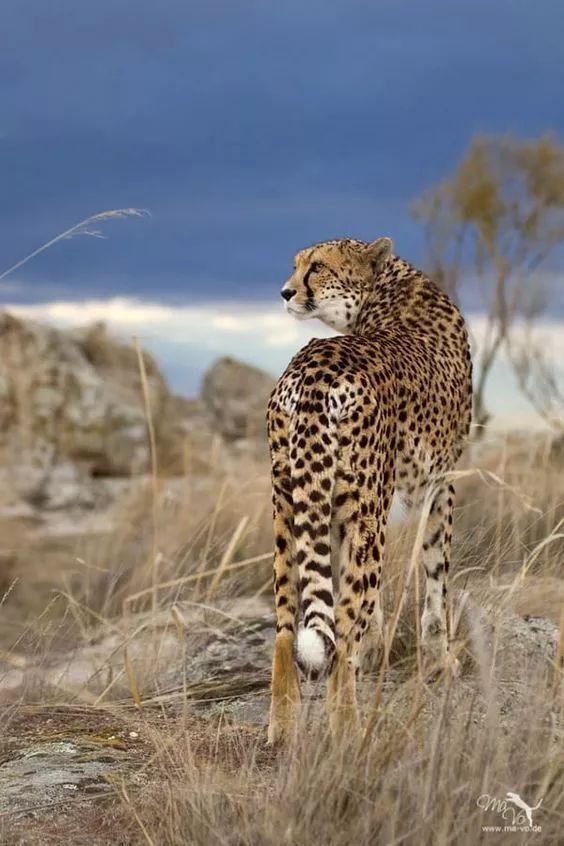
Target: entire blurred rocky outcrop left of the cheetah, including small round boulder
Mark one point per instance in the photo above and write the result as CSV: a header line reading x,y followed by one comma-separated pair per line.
x,y
72,409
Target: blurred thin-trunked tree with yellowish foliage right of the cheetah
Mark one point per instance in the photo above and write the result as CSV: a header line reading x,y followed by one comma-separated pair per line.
x,y
496,219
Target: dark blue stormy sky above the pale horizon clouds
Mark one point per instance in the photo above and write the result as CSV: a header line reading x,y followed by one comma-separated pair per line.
x,y
248,129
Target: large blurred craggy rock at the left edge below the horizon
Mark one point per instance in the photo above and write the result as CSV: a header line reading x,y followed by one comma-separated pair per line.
x,y
74,401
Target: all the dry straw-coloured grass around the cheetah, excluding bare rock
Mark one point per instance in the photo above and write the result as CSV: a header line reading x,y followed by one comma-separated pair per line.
x,y
430,754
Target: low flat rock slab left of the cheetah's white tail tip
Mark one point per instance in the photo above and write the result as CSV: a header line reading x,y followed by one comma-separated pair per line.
x,y
231,647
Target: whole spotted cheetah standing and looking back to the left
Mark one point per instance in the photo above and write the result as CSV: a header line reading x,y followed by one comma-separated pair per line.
x,y
384,406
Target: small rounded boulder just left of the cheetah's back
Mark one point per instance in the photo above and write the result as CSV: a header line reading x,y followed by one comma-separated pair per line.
x,y
236,396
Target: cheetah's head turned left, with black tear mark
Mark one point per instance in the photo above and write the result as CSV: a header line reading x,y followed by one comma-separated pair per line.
x,y
331,280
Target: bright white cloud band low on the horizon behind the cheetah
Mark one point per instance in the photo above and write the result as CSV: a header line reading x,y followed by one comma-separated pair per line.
x,y
186,339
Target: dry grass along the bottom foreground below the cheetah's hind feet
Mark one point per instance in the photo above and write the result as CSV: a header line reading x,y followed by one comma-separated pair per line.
x,y
416,783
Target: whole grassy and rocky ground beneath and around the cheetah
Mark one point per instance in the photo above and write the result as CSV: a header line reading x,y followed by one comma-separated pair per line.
x,y
135,688
